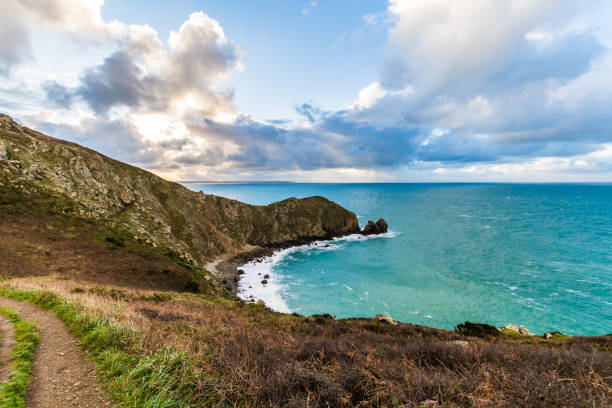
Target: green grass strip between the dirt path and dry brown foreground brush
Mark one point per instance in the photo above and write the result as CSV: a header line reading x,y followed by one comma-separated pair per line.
x,y
166,378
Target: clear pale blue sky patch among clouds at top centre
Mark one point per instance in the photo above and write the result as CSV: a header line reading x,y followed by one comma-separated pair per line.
x,y
292,51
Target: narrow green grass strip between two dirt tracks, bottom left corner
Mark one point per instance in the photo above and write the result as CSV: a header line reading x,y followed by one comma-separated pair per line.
x,y
13,390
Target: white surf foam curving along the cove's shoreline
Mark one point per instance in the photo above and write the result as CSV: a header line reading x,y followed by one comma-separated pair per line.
x,y
251,288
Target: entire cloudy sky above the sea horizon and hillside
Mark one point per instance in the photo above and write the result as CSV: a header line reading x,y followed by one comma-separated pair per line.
x,y
320,91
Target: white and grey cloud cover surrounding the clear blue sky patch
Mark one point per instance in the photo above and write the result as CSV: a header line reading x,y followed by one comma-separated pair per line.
x,y
468,88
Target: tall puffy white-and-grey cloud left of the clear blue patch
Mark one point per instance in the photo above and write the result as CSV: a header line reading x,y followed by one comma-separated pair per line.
x,y
144,75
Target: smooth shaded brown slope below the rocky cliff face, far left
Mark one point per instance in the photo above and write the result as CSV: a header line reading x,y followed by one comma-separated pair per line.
x,y
34,242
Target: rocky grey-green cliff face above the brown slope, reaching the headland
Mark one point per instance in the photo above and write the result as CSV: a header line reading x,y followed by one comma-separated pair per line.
x,y
193,227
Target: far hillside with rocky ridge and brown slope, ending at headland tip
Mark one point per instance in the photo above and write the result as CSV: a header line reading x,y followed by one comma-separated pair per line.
x,y
99,202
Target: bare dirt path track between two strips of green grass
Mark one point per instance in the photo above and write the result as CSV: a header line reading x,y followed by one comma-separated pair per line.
x,y
62,377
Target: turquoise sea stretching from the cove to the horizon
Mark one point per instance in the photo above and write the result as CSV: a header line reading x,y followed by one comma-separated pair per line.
x,y
537,255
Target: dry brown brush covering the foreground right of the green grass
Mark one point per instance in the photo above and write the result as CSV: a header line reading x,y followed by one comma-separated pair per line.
x,y
249,356
